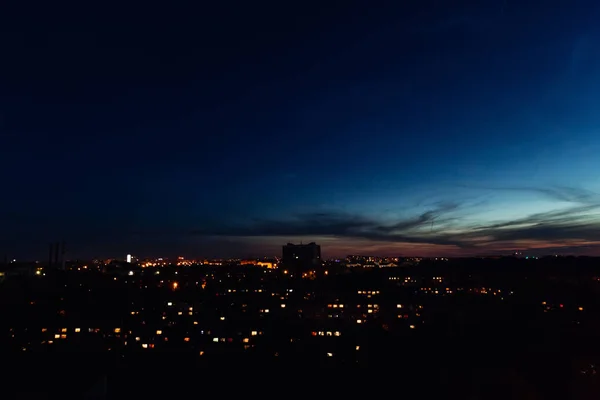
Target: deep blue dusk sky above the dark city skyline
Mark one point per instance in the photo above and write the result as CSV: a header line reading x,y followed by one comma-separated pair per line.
x,y
376,127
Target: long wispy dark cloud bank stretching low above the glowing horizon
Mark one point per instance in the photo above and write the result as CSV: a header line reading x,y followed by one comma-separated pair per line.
x,y
576,226
